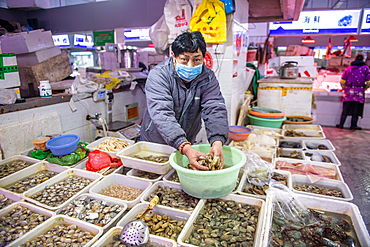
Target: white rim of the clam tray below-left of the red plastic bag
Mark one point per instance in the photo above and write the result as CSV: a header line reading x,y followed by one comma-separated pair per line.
x,y
58,178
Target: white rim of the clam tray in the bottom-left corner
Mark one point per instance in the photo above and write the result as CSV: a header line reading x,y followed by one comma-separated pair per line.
x,y
31,207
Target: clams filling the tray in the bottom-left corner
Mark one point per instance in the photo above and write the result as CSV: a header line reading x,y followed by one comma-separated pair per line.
x,y
17,222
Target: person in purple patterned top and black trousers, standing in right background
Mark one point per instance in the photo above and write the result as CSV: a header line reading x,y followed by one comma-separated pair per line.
x,y
355,81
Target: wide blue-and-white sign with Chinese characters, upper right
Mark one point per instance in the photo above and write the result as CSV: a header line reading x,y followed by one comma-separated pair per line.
x,y
319,22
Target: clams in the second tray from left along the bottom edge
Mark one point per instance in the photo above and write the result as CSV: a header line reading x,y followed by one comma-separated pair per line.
x,y
62,235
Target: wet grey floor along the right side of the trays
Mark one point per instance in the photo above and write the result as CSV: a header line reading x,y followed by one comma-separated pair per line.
x,y
352,150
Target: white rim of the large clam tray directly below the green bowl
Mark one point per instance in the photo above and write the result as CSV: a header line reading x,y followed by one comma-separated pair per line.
x,y
259,233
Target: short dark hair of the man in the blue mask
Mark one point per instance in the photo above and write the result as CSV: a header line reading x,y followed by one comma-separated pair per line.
x,y
189,42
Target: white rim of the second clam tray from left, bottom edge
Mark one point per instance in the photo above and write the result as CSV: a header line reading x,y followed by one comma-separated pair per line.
x,y
58,220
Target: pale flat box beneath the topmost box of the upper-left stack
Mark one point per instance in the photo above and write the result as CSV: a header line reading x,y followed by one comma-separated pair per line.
x,y
33,58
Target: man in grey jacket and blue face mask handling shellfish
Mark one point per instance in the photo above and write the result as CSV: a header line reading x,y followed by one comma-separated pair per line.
x,y
180,91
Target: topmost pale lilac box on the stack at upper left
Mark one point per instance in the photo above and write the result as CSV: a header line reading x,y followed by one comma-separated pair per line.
x,y
26,42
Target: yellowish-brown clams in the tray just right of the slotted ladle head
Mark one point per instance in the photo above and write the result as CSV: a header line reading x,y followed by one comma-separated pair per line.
x,y
164,226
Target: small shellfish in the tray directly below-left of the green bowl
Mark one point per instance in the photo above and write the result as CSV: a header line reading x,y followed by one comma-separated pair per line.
x,y
174,198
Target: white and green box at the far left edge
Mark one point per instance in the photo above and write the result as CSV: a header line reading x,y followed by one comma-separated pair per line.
x,y
9,76
